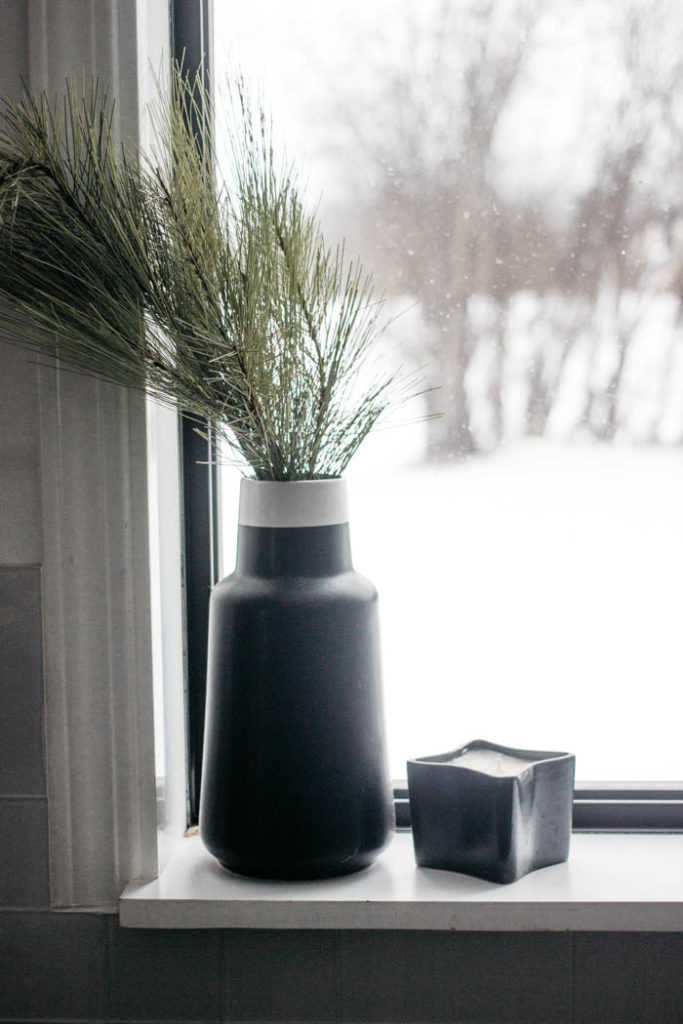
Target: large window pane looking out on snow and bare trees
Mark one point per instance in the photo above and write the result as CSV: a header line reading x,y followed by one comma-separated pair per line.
x,y
510,173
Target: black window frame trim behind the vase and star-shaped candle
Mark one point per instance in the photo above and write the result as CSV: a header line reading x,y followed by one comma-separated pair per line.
x,y
597,806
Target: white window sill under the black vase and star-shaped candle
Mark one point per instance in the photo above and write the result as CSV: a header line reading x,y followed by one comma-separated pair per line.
x,y
611,883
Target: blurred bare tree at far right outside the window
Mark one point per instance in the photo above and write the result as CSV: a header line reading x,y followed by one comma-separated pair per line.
x,y
628,200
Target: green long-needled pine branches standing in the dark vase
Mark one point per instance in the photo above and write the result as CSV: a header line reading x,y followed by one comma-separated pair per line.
x,y
222,298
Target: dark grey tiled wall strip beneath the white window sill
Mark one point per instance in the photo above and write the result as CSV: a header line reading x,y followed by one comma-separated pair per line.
x,y
78,967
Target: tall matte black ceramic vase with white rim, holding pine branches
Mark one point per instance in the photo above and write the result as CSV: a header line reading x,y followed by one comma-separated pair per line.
x,y
294,779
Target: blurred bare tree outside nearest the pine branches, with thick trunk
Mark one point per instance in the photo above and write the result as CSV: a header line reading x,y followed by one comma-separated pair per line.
x,y
426,152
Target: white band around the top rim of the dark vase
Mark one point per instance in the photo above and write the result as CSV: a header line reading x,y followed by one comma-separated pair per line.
x,y
291,504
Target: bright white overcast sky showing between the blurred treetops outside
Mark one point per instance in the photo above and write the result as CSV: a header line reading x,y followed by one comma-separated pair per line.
x,y
305,51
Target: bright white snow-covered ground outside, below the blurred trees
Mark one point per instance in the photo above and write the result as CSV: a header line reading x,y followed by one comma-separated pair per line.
x,y
532,598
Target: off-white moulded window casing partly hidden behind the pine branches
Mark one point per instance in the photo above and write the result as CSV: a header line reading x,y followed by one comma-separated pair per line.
x,y
97,613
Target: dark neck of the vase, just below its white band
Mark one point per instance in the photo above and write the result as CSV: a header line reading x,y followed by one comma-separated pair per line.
x,y
303,551
